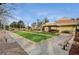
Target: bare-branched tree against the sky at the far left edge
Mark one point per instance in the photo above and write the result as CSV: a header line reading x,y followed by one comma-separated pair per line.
x,y
5,12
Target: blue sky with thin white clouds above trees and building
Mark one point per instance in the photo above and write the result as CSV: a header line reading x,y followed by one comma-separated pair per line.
x,y
30,12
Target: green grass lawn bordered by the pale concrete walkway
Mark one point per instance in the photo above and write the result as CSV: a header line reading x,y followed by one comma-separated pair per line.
x,y
35,36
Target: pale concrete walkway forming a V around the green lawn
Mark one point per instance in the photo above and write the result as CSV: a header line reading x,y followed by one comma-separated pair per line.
x,y
48,47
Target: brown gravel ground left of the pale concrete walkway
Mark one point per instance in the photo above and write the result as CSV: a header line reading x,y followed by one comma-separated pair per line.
x,y
10,47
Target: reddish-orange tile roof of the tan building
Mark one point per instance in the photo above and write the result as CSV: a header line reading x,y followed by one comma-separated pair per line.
x,y
63,21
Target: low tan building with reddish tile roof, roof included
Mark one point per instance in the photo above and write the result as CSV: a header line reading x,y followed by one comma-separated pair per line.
x,y
61,25
